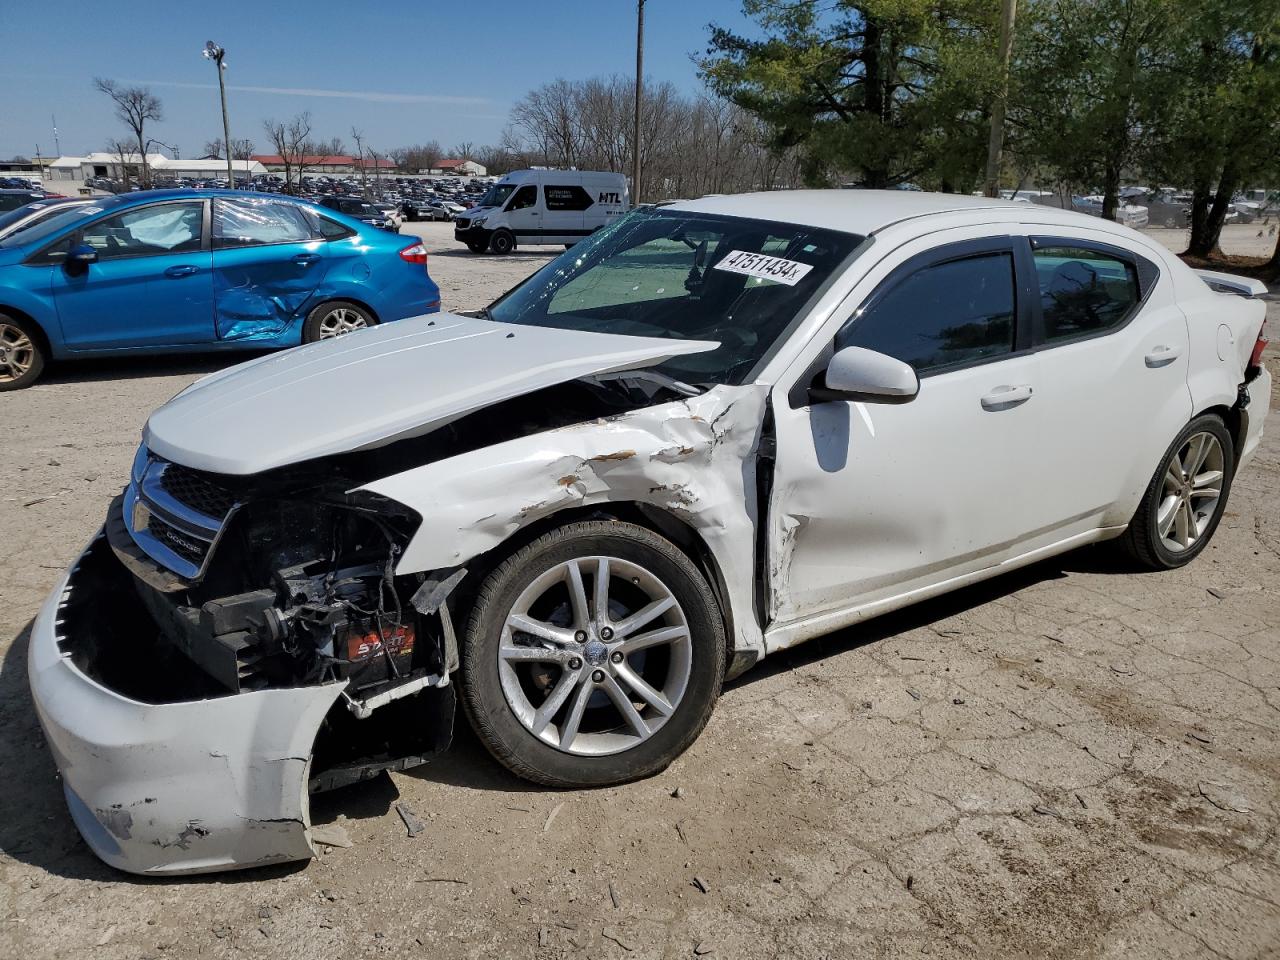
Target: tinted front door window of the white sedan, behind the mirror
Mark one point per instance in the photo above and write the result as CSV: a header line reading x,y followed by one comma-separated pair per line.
x,y
943,316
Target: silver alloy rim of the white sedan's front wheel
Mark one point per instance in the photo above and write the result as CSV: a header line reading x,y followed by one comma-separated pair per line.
x,y
596,656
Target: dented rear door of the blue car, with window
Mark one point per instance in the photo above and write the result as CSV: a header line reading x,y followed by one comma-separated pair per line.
x,y
268,263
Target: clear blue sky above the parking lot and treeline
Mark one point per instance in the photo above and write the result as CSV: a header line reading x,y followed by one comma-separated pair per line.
x,y
403,74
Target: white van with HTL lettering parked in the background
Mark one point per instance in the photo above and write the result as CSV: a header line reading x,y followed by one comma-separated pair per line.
x,y
542,207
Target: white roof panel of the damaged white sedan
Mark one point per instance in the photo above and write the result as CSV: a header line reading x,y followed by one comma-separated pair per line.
x,y
861,212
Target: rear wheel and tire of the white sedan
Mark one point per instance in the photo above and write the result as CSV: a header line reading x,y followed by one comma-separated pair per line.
x,y
1178,516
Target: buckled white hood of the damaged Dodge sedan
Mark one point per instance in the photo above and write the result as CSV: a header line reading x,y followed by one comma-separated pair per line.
x,y
380,386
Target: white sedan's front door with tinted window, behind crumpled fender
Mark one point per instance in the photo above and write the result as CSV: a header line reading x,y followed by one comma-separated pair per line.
x,y
876,501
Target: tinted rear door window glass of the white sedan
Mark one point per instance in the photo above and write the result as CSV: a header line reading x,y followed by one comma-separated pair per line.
x,y
1084,291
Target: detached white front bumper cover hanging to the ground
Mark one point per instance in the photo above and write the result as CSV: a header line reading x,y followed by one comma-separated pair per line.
x,y
186,787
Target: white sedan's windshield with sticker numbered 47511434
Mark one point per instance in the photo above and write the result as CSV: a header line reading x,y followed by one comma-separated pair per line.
x,y
692,277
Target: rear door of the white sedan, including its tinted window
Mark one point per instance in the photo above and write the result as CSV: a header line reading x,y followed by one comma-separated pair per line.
x,y
1113,392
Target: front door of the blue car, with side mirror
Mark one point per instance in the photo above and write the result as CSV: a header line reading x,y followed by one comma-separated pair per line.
x,y
150,287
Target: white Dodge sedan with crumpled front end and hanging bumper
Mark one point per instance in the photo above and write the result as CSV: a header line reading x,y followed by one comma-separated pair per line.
x,y
707,433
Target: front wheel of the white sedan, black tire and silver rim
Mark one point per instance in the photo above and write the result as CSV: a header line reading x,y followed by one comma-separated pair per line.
x,y
602,748
